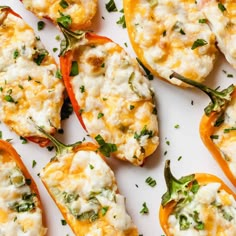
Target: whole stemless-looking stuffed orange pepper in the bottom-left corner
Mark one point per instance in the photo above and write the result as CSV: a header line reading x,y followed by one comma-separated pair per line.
x,y
20,178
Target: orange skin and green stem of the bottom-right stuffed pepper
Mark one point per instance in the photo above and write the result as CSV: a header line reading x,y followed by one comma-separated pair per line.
x,y
176,187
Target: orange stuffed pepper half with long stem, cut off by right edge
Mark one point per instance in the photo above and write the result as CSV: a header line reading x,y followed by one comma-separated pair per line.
x,y
214,124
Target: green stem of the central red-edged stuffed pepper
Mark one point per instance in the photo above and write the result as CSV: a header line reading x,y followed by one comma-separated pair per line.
x,y
71,39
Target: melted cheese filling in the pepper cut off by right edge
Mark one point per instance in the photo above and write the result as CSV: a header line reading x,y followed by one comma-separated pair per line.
x,y
226,136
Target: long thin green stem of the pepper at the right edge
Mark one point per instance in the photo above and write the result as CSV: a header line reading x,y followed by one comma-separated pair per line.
x,y
219,99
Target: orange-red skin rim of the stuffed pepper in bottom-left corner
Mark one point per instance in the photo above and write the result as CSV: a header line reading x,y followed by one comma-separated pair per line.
x,y
9,155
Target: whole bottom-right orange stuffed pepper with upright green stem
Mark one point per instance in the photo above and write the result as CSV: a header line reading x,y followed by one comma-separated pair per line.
x,y
182,192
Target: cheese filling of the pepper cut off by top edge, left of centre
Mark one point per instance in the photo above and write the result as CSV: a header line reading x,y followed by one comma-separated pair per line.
x,y
80,11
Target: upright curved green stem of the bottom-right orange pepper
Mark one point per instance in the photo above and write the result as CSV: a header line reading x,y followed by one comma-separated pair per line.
x,y
176,188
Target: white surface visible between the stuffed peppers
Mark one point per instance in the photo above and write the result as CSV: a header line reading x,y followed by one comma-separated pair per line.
x,y
174,107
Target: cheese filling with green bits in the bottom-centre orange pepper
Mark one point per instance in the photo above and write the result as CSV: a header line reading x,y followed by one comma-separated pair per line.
x,y
84,186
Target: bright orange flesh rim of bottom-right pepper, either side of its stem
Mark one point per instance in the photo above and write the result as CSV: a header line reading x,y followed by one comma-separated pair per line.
x,y
202,178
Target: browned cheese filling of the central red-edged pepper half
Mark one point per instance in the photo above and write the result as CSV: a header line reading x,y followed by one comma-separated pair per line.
x,y
116,101
